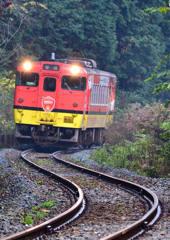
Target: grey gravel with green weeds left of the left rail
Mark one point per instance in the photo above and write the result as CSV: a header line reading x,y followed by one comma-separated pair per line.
x,y
23,193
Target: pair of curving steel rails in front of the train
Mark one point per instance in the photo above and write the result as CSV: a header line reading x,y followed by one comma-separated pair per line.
x,y
135,229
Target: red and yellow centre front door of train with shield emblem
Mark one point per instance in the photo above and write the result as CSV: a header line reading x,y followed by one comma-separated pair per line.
x,y
47,99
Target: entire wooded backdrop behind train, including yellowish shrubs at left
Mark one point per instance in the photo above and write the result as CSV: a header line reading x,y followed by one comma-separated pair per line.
x,y
118,34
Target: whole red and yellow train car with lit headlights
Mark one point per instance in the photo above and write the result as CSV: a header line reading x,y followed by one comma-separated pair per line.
x,y
63,102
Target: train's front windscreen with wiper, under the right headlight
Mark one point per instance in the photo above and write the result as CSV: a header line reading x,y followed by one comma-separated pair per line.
x,y
73,83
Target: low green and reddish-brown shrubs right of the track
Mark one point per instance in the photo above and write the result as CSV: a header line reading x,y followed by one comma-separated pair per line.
x,y
140,142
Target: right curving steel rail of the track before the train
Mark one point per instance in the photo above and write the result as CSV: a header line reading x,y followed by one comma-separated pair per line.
x,y
139,226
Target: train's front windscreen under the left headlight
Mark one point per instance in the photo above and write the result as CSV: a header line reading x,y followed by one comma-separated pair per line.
x,y
27,79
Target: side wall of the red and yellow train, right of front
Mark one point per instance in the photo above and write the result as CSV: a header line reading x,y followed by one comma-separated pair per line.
x,y
100,104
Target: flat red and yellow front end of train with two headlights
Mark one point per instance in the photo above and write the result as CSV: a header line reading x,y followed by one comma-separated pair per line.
x,y
49,102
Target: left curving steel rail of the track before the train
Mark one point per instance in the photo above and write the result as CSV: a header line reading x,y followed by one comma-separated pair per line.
x,y
56,222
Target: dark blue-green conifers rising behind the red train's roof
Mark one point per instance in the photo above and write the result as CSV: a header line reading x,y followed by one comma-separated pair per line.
x,y
119,36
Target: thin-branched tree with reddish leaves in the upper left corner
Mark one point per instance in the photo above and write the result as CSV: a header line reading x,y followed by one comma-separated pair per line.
x,y
13,15
